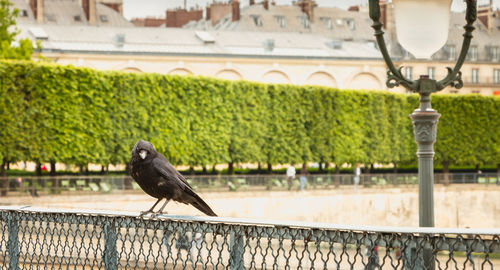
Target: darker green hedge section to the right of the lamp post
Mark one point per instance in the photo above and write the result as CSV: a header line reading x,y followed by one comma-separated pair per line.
x,y
468,131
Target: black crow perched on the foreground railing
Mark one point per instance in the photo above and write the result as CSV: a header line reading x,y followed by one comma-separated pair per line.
x,y
158,178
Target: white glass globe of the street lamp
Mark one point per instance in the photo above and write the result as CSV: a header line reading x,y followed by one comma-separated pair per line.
x,y
422,25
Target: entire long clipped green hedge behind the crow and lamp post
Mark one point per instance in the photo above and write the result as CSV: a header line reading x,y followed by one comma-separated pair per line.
x,y
79,116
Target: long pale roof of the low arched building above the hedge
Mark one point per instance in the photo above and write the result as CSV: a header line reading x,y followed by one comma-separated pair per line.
x,y
147,40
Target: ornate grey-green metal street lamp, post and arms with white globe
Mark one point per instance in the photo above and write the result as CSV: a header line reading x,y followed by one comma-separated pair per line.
x,y
422,34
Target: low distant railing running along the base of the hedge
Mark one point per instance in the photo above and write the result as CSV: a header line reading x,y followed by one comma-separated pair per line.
x,y
48,185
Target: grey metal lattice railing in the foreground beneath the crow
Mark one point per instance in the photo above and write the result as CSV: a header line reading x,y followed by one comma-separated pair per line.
x,y
33,238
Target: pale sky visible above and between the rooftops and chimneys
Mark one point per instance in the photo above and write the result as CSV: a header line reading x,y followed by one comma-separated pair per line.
x,y
157,8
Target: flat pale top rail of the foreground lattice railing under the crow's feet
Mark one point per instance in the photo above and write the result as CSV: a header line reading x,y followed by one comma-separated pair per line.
x,y
262,222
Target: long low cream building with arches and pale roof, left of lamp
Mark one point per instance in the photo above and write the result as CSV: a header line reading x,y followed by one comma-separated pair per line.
x,y
291,58
